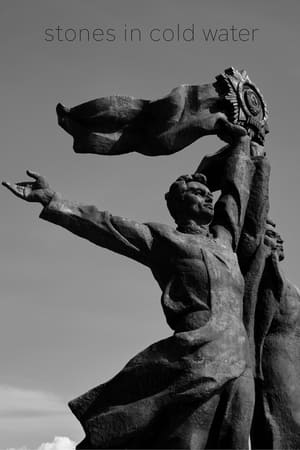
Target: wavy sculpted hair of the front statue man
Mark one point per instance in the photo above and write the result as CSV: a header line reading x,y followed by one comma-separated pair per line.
x,y
177,190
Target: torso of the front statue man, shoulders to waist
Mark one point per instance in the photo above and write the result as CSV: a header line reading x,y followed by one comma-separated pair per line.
x,y
179,263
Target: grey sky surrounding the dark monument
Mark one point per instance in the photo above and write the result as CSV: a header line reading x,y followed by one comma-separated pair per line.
x,y
73,314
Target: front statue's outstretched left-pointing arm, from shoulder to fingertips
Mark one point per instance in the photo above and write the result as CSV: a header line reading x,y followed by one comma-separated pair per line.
x,y
120,235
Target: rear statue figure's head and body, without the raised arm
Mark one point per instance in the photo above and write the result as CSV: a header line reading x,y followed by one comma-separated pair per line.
x,y
276,422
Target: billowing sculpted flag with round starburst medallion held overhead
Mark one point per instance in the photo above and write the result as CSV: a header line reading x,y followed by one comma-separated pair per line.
x,y
116,125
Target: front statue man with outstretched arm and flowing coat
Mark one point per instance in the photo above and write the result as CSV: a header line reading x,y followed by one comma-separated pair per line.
x,y
174,393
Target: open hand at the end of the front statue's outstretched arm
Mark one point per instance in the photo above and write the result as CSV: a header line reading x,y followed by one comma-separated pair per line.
x,y
38,191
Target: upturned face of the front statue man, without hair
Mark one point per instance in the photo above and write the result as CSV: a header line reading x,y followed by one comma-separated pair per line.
x,y
198,202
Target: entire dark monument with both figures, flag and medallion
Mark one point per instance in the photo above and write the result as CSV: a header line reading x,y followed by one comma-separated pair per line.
x,y
217,378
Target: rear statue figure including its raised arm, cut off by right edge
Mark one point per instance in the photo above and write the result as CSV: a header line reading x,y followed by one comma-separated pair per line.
x,y
272,320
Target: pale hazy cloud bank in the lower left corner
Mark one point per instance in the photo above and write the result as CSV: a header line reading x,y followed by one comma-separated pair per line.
x,y
28,417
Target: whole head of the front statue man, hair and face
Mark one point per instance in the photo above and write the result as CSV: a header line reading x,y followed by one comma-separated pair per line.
x,y
189,198
